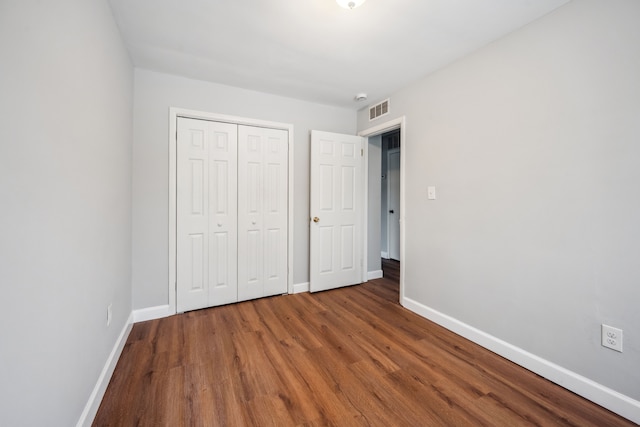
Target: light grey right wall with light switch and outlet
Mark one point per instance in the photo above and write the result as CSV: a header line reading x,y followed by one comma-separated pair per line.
x,y
533,144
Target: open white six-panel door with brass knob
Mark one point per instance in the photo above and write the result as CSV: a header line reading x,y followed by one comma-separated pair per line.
x,y
337,210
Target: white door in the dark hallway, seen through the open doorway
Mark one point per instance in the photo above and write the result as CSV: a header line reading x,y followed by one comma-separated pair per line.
x,y
393,203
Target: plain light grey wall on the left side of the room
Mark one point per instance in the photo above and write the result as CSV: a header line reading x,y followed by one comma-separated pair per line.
x,y
66,86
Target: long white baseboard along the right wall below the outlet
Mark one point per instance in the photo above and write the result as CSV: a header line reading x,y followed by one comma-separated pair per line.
x,y
610,399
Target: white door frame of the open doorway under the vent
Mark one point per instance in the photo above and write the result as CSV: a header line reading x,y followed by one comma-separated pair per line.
x,y
398,123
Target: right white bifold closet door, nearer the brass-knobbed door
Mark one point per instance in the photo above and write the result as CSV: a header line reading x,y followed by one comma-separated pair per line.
x,y
262,212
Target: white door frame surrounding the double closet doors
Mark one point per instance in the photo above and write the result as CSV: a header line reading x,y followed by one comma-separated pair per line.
x,y
174,113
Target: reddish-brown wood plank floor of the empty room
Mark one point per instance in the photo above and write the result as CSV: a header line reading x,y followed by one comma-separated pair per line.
x,y
347,357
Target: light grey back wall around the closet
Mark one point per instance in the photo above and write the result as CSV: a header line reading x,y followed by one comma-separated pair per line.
x,y
155,93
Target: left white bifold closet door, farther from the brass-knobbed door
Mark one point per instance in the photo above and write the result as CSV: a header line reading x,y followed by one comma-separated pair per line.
x,y
206,214
